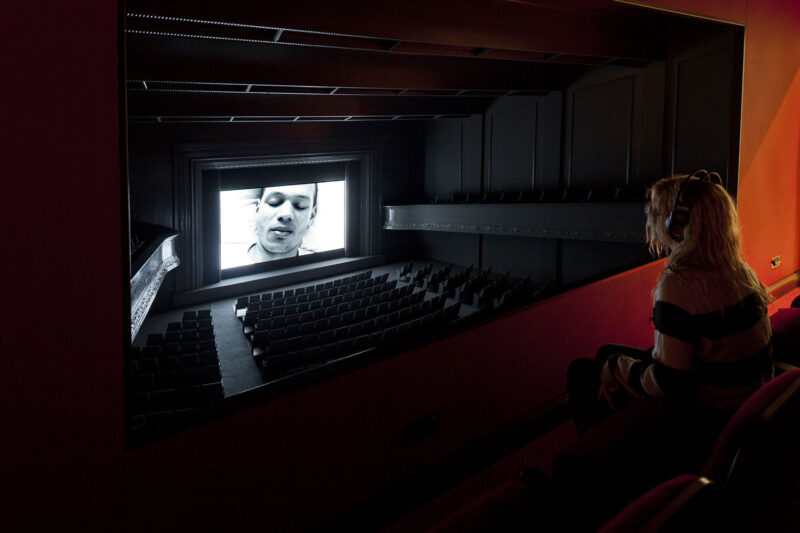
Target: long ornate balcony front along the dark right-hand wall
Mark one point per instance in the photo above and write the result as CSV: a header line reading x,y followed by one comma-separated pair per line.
x,y
597,222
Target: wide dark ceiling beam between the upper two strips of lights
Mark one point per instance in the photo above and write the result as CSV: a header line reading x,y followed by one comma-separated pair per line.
x,y
162,58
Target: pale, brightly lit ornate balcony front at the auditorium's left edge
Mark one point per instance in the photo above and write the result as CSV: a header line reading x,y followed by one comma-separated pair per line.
x,y
146,282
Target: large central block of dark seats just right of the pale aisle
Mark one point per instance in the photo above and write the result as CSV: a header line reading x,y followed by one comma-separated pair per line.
x,y
335,319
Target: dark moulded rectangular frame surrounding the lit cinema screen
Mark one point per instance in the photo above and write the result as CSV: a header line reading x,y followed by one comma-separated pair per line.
x,y
194,206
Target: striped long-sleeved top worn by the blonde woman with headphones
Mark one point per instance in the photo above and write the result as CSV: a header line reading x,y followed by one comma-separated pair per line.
x,y
712,344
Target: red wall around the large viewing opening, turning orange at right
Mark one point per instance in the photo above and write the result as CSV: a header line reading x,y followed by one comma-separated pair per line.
x,y
62,460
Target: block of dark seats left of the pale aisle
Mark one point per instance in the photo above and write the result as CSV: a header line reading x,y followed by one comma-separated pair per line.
x,y
174,378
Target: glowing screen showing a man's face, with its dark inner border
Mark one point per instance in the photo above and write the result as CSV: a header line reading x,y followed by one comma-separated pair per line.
x,y
276,215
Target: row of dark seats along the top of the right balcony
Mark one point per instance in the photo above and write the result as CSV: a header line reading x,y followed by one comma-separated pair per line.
x,y
573,194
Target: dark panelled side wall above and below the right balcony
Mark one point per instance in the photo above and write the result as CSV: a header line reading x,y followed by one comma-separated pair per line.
x,y
613,127
